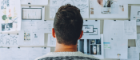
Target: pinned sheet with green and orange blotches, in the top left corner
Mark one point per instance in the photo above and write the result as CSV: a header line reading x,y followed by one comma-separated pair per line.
x,y
10,13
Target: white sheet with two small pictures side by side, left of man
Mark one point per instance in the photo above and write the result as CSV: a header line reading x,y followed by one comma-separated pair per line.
x,y
31,38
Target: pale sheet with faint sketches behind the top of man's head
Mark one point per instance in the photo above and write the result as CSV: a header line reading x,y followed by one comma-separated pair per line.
x,y
83,5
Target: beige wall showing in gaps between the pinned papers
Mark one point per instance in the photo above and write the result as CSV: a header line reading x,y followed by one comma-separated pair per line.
x,y
102,24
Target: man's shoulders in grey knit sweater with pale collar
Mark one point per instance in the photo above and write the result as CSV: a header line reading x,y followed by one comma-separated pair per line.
x,y
67,56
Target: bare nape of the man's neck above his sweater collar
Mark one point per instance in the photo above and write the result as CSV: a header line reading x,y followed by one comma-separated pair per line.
x,y
65,48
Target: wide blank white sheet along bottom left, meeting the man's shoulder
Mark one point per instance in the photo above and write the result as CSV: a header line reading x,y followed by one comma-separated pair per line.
x,y
22,53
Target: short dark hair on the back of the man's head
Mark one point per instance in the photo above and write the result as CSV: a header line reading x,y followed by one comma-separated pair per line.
x,y
68,24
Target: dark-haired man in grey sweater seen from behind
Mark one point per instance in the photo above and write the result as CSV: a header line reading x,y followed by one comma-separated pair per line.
x,y
67,30
